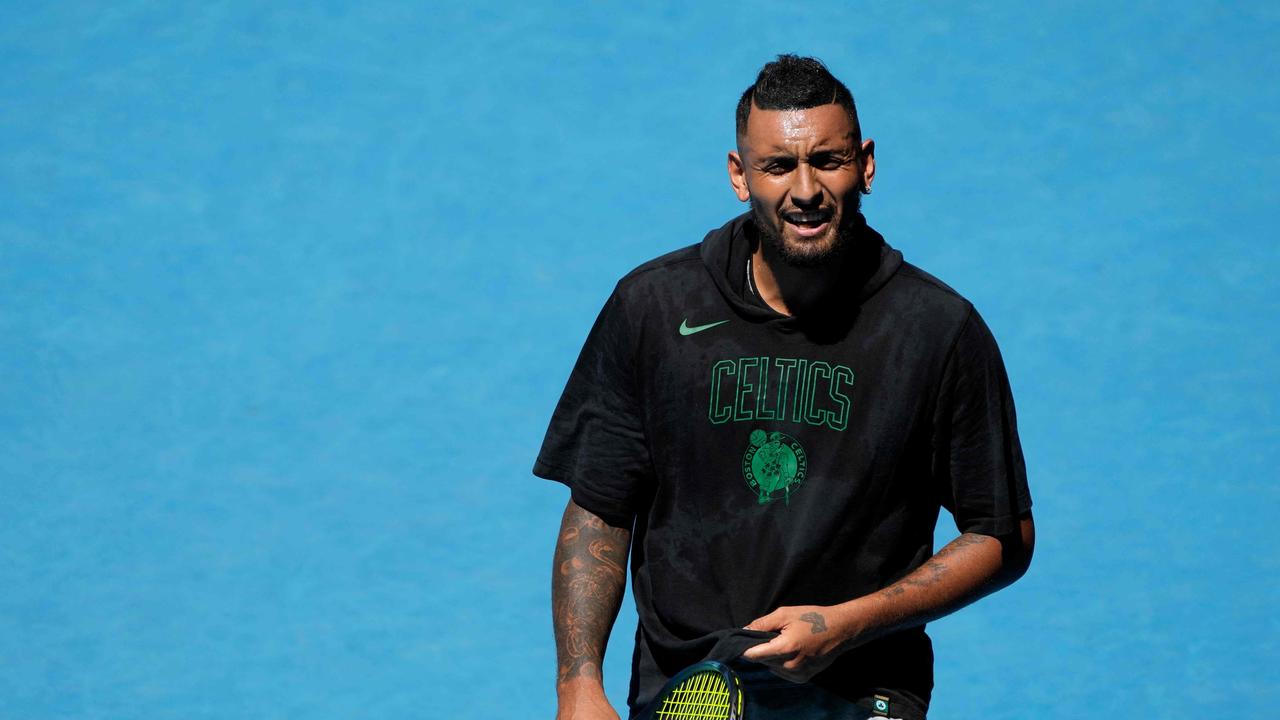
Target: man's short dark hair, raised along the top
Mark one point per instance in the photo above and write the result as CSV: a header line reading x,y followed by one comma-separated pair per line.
x,y
793,83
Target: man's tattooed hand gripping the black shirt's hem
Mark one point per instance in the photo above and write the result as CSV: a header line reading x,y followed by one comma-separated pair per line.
x,y
808,642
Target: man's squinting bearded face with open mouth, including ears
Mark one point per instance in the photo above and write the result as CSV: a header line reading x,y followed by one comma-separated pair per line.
x,y
803,172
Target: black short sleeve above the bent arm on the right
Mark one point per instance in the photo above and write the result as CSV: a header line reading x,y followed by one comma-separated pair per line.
x,y
979,461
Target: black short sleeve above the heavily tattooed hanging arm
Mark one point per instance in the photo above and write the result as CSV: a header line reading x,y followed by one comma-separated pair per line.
x,y
596,441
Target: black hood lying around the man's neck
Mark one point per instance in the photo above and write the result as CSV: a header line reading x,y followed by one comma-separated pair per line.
x,y
726,249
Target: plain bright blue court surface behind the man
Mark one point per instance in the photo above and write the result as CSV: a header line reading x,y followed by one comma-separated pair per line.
x,y
289,294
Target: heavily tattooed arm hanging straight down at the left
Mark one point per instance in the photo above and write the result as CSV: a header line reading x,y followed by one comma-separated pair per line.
x,y
587,591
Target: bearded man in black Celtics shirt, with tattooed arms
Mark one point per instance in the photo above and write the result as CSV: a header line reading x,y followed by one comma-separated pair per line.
x,y
770,422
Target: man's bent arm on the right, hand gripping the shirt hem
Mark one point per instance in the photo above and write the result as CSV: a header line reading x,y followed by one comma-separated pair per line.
x,y
967,569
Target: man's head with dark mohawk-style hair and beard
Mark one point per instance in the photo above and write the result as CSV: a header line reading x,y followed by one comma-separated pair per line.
x,y
801,161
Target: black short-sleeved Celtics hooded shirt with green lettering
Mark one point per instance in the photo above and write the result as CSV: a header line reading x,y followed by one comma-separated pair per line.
x,y
765,461
